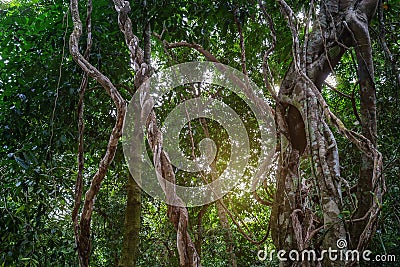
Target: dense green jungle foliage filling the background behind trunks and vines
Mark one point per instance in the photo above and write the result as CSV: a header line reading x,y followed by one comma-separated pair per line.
x,y
39,85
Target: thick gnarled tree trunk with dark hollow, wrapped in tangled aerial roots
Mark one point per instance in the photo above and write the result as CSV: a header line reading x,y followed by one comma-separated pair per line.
x,y
303,117
